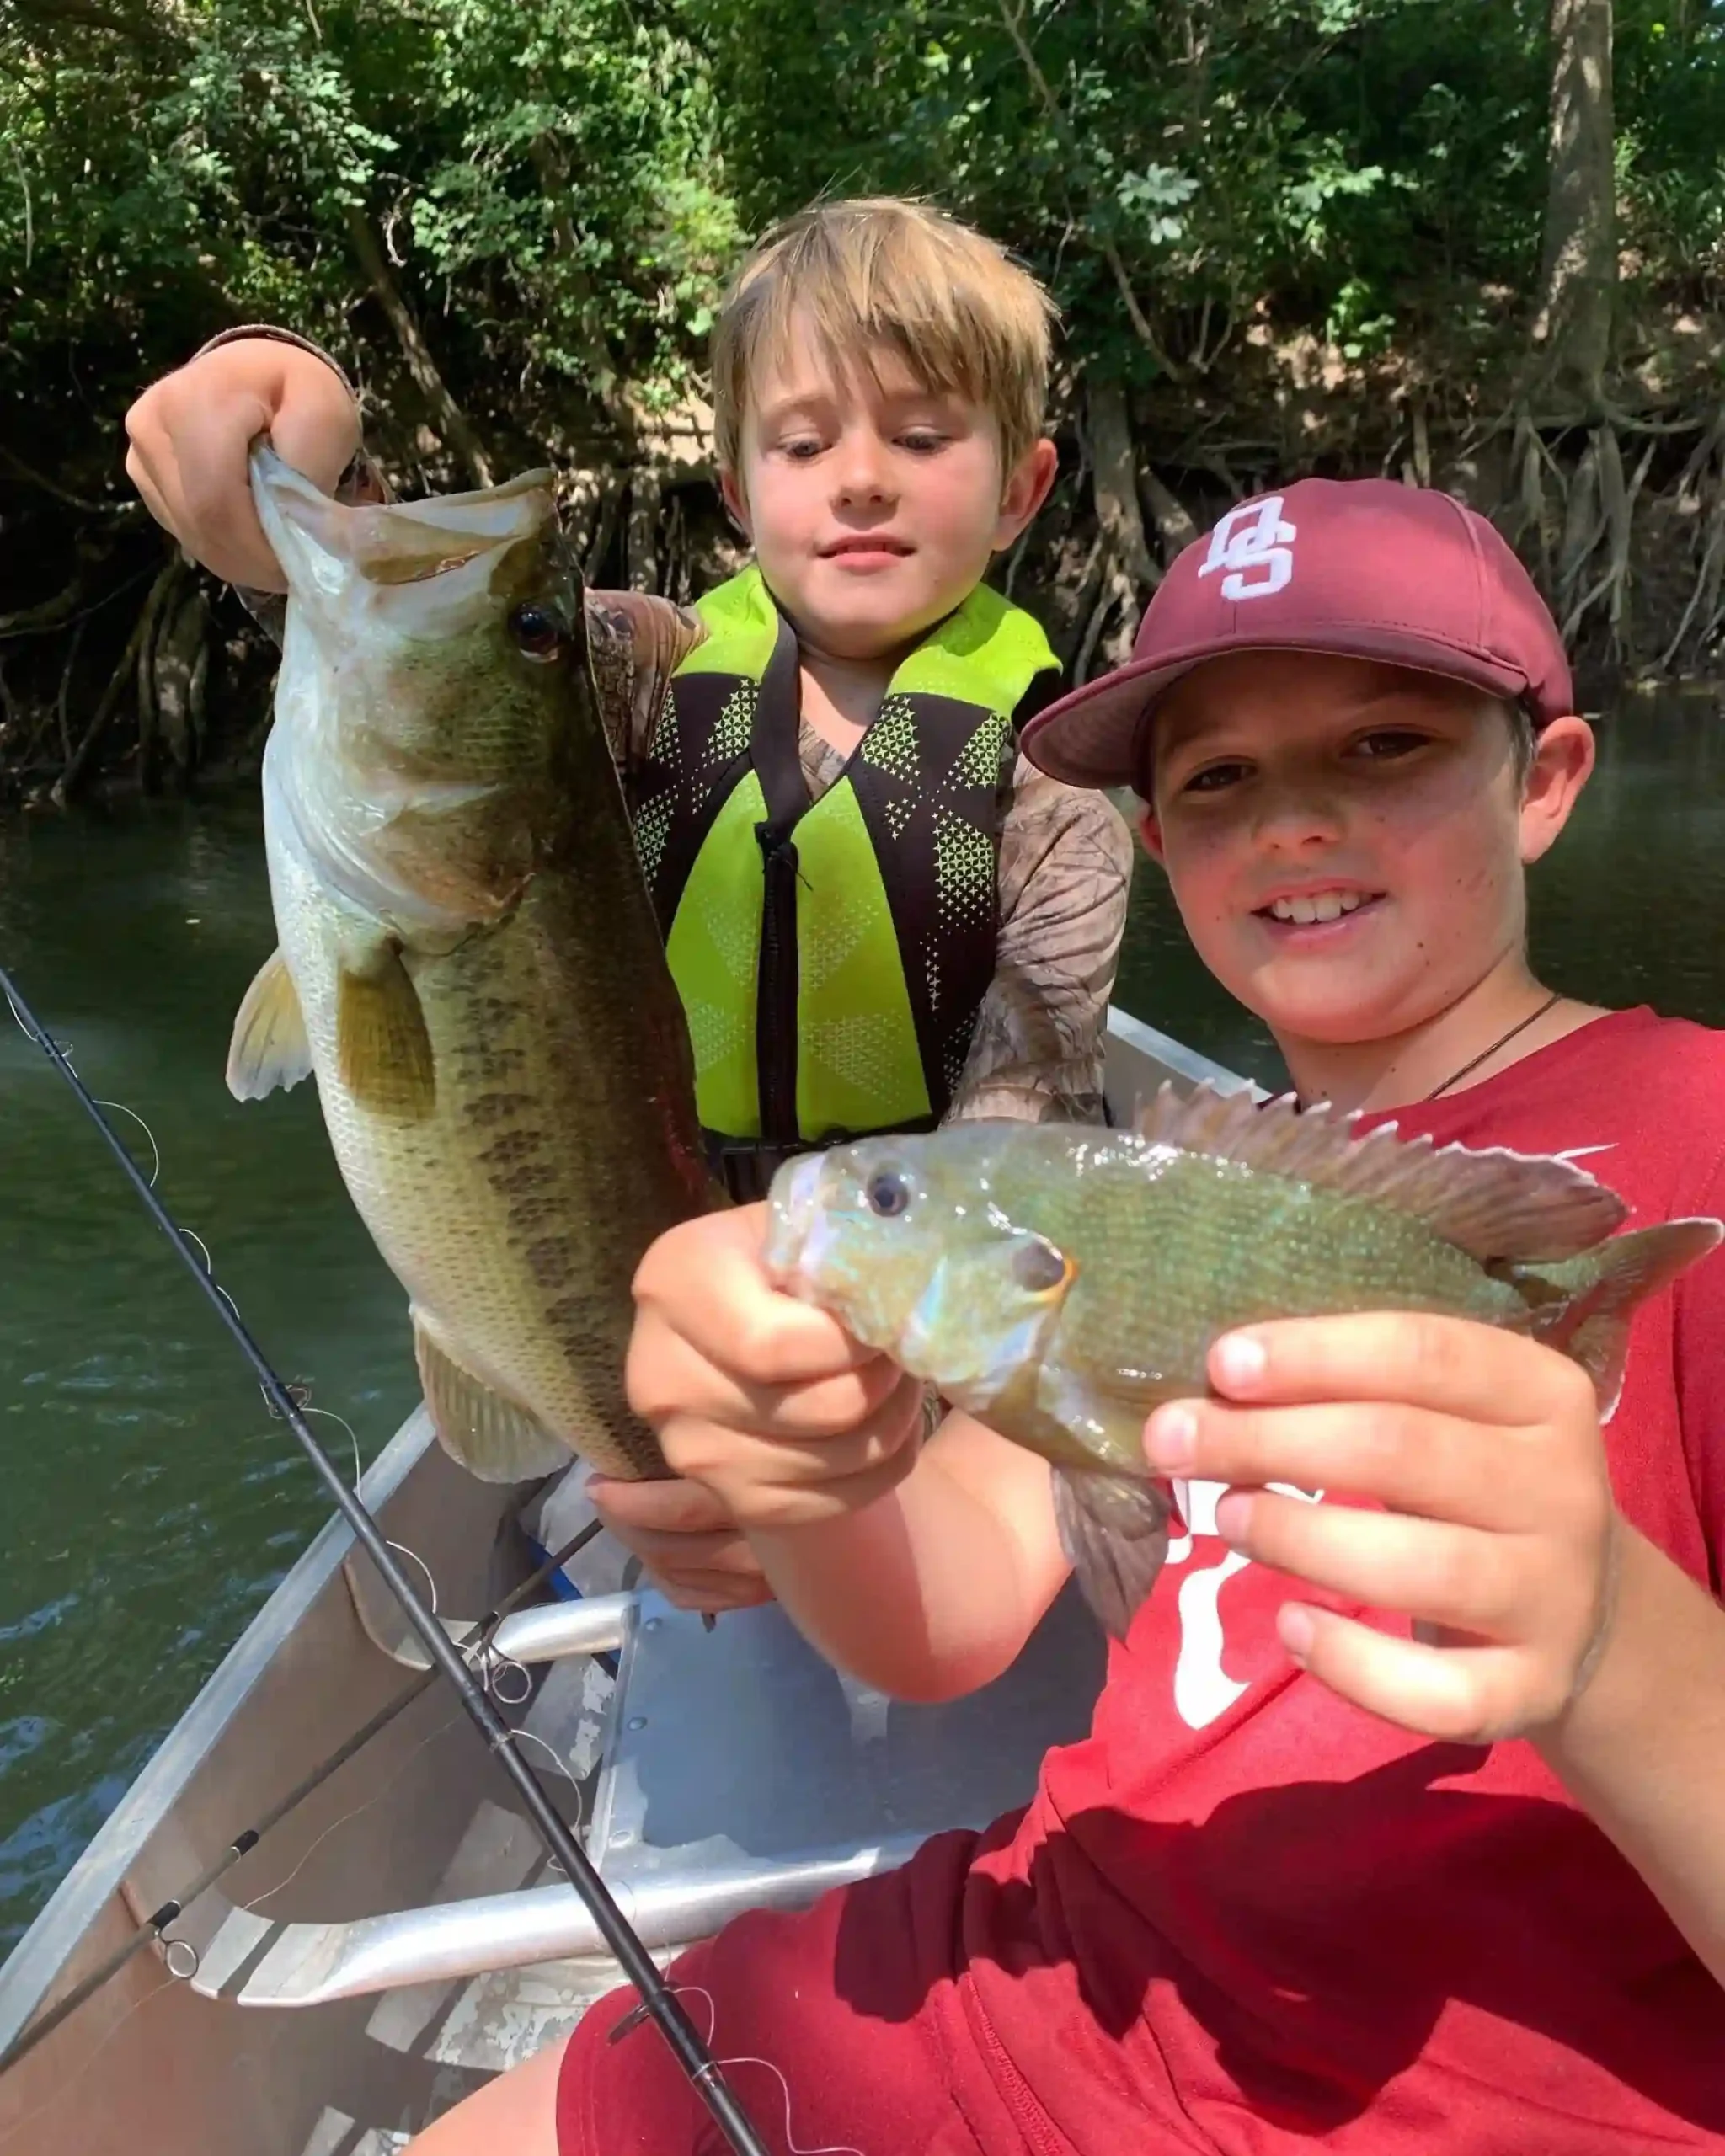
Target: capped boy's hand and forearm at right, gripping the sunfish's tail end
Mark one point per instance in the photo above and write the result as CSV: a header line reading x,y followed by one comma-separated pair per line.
x,y
1538,1609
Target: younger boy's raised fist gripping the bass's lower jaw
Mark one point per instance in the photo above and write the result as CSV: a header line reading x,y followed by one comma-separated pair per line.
x,y
193,430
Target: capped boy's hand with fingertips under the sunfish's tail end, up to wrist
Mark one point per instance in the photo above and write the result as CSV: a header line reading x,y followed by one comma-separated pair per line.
x,y
1476,1504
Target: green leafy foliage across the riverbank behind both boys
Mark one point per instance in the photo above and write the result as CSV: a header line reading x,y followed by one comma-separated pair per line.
x,y
562,186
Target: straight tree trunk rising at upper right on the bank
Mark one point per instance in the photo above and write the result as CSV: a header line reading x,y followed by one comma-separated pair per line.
x,y
1579,275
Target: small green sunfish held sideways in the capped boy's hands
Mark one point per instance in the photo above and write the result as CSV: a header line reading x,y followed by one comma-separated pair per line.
x,y
1060,1282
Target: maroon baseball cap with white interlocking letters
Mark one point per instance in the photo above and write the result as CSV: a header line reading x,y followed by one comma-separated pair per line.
x,y
1364,568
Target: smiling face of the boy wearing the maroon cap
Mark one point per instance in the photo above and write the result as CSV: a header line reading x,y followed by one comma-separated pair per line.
x,y
1347,840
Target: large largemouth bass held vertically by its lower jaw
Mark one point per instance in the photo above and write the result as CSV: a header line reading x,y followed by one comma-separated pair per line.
x,y
469,958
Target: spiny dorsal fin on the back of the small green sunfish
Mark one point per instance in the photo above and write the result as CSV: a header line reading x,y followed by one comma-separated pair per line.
x,y
1489,1204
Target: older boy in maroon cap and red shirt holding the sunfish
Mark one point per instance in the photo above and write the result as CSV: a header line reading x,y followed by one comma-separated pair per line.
x,y
1398,1829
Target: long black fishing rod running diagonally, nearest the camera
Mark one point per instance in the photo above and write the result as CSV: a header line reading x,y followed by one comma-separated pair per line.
x,y
661,2002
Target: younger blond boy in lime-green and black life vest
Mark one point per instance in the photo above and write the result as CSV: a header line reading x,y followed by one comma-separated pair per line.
x,y
879,915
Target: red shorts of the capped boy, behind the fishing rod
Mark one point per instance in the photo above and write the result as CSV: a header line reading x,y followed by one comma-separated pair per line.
x,y
857,2004
